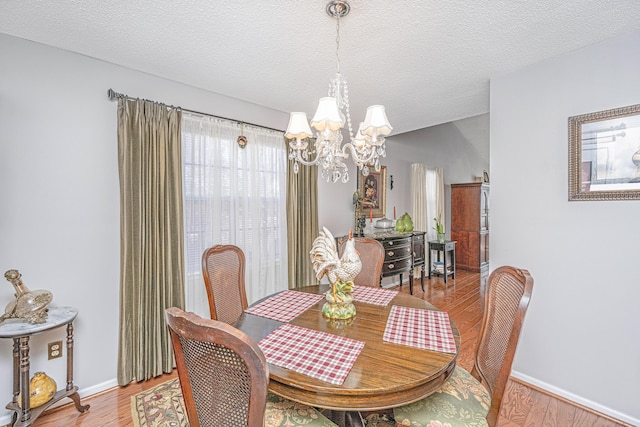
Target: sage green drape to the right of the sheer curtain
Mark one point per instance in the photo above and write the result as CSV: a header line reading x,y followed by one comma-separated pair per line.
x,y
302,223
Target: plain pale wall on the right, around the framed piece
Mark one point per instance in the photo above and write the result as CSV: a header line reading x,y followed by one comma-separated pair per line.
x,y
581,337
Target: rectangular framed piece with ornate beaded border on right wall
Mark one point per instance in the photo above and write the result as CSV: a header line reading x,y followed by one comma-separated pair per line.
x,y
604,155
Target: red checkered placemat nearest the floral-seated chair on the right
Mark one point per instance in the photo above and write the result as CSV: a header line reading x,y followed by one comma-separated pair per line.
x,y
425,329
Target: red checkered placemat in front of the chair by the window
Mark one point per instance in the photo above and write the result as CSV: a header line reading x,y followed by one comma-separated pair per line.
x,y
285,306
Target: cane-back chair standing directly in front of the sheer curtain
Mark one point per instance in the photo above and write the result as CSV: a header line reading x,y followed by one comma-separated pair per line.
x,y
223,273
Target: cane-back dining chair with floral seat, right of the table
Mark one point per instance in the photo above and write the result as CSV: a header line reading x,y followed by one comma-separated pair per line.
x,y
474,398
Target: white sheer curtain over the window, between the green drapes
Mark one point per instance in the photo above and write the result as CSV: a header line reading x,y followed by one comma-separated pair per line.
x,y
236,196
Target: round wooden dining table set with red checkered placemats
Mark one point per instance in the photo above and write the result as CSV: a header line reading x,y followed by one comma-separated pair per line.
x,y
382,375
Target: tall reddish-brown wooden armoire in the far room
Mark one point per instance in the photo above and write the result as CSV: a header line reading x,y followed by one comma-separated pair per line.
x,y
470,226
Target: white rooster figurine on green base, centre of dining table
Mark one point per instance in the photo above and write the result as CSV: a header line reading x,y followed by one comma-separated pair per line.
x,y
339,271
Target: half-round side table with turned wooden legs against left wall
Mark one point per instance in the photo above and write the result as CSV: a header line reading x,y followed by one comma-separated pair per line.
x,y
20,330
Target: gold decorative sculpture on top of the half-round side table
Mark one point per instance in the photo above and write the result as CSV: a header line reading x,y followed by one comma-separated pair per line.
x,y
29,305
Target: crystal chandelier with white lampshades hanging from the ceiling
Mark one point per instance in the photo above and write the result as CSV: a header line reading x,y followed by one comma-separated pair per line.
x,y
366,146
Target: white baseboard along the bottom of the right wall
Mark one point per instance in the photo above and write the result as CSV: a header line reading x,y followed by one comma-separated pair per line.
x,y
574,399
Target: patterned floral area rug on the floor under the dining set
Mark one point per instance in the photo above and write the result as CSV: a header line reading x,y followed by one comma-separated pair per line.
x,y
162,406
